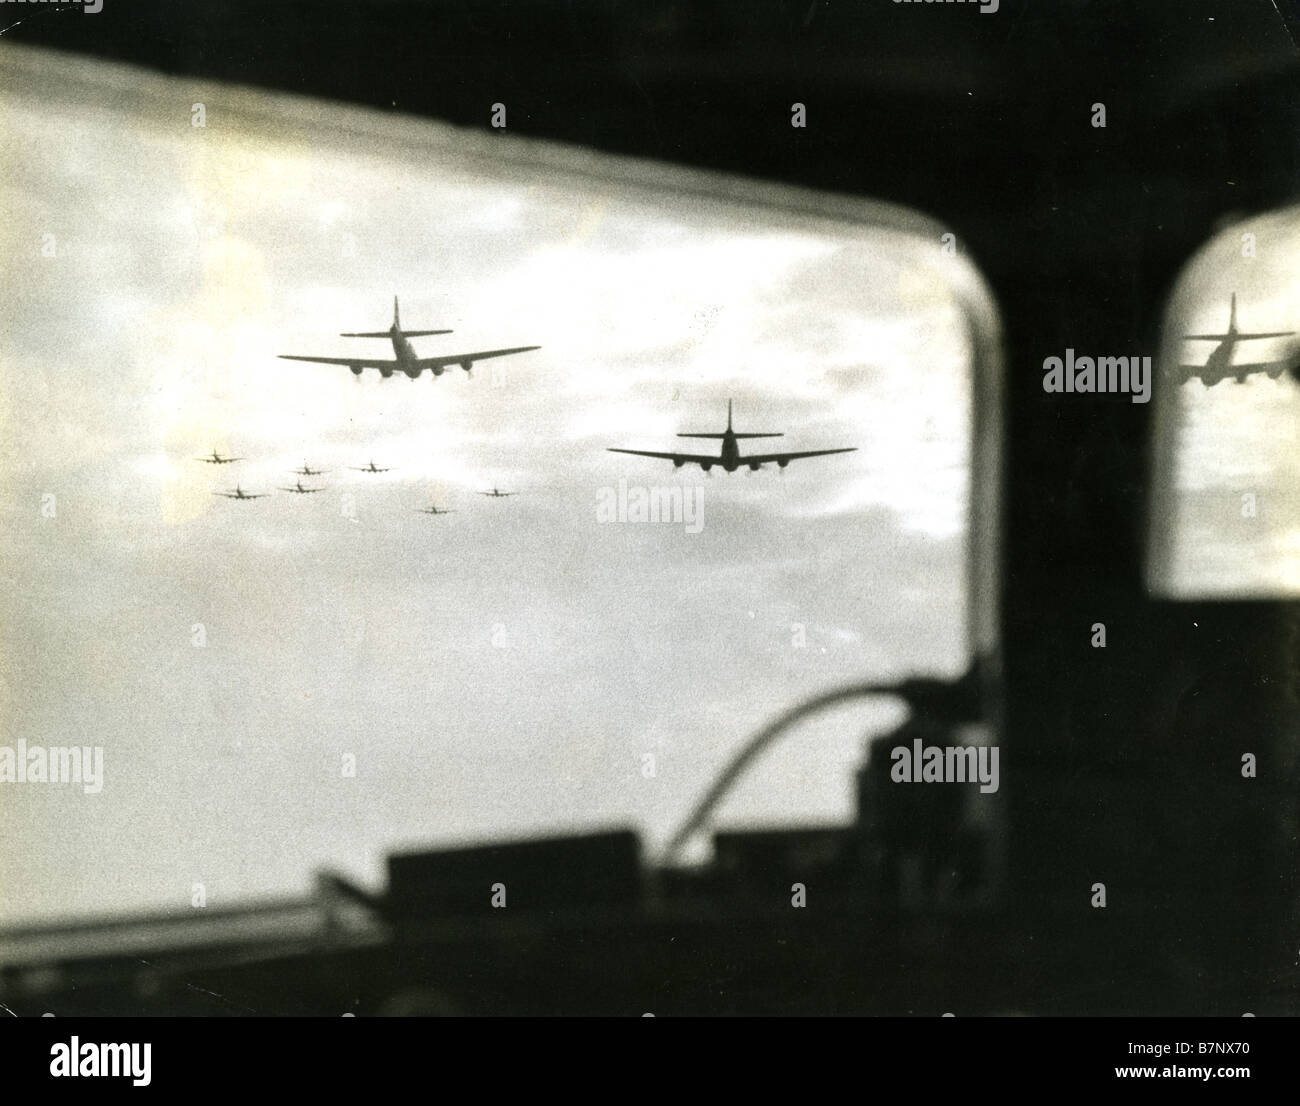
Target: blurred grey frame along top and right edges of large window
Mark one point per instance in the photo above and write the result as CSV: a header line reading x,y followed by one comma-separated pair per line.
x,y
512,157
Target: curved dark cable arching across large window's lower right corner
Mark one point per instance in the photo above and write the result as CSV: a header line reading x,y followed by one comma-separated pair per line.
x,y
938,699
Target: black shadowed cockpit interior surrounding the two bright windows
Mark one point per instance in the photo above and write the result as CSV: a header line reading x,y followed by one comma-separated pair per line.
x,y
1120,766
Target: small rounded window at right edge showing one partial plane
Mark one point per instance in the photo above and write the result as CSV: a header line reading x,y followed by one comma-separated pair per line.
x,y
1227,484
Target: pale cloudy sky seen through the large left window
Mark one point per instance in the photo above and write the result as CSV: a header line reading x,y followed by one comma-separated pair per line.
x,y
496,673
